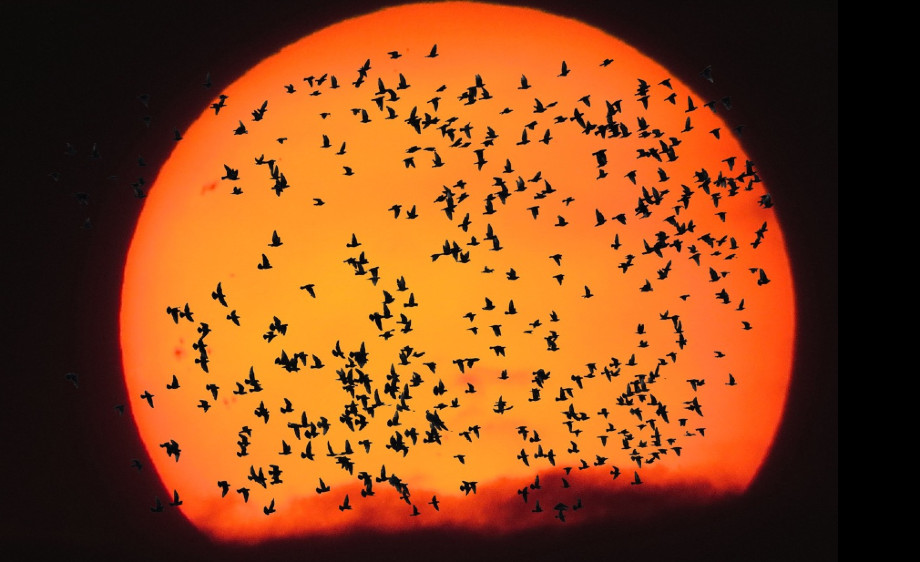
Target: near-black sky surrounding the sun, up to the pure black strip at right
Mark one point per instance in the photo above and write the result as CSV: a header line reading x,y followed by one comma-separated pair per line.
x,y
73,72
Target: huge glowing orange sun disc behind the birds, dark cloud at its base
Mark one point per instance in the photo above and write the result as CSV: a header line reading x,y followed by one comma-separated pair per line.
x,y
194,233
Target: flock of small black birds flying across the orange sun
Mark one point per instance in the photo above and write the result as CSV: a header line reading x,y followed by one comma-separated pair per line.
x,y
398,397
